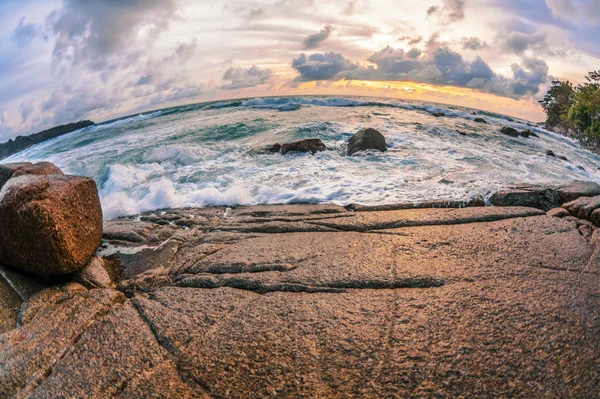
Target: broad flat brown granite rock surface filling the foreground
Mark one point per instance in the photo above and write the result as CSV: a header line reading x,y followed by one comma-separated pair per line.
x,y
312,301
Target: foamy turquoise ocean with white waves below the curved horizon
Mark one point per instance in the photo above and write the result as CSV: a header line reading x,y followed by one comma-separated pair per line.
x,y
211,154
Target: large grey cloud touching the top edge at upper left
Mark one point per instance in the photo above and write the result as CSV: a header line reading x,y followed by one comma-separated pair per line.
x,y
92,32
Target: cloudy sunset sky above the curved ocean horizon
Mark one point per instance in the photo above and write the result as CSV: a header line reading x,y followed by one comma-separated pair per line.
x,y
67,60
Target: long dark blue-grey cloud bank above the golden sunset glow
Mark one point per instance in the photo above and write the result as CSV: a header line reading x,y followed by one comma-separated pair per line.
x,y
440,65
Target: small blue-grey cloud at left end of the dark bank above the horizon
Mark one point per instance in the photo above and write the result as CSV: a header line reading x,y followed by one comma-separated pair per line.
x,y
321,66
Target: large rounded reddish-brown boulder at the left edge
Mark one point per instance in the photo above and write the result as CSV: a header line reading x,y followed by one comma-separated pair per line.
x,y
51,225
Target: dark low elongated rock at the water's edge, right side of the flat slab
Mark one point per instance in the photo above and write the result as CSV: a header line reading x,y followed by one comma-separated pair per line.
x,y
534,197
